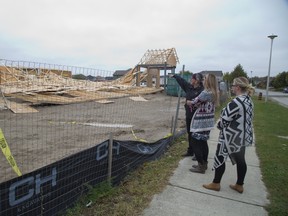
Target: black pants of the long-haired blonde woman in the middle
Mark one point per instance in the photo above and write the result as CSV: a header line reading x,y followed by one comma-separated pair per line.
x,y
201,150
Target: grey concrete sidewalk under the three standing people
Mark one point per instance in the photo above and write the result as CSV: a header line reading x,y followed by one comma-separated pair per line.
x,y
185,195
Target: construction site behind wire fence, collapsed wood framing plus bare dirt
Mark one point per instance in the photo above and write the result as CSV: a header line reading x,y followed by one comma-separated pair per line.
x,y
47,115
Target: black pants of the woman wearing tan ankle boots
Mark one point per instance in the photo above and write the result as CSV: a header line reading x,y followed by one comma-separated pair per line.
x,y
239,158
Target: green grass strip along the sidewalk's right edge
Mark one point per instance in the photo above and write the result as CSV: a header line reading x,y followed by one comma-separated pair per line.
x,y
271,131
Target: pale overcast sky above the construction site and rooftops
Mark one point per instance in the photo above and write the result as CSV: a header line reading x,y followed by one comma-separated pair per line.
x,y
114,35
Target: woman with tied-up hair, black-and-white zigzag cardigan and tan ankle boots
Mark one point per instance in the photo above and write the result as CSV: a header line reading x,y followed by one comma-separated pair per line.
x,y
236,132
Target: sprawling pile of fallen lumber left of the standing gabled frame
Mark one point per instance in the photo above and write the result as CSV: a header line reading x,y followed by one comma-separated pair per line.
x,y
21,88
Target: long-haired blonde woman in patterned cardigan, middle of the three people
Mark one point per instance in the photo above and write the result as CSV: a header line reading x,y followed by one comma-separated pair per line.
x,y
203,121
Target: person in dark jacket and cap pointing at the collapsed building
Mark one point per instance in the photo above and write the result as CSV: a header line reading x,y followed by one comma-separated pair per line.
x,y
192,90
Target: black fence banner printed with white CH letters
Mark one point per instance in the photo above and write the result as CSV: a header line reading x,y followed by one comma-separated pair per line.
x,y
52,189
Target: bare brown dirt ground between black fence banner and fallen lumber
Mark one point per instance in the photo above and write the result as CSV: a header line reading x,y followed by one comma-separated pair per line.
x,y
57,131
